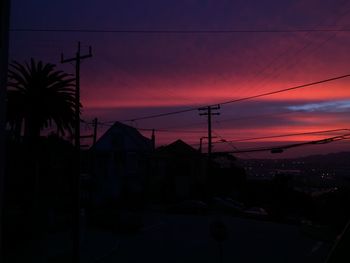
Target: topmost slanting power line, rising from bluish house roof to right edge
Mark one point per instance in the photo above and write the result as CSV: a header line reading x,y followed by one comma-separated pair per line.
x,y
237,100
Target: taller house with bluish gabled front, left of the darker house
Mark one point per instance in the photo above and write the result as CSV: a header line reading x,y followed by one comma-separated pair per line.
x,y
120,164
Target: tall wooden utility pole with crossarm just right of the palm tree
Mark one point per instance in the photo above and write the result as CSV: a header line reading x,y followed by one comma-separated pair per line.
x,y
77,212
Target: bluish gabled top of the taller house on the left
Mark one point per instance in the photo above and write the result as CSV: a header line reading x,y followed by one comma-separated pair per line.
x,y
121,137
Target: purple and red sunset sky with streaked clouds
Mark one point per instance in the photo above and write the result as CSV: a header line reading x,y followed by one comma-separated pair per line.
x,y
137,74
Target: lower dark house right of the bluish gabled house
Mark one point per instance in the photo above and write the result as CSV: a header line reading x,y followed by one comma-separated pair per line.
x,y
178,173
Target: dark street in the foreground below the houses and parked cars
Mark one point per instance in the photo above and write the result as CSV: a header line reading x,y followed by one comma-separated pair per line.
x,y
184,238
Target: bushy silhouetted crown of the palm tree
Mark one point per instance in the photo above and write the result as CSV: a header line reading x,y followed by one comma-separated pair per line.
x,y
38,95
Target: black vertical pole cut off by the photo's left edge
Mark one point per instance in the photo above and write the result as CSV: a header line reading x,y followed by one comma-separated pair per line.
x,y
4,41
